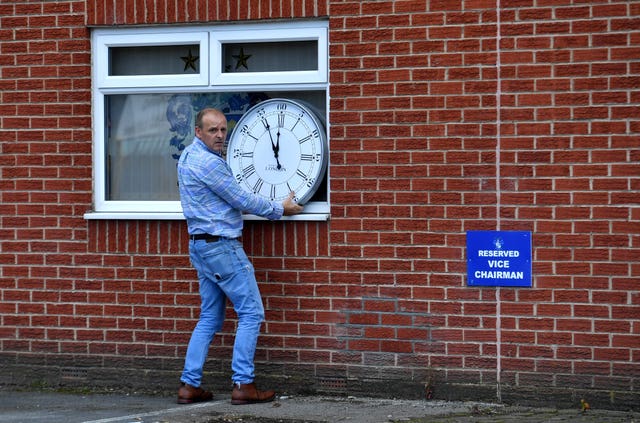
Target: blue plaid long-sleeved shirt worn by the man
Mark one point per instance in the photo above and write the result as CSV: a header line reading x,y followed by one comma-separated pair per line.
x,y
212,201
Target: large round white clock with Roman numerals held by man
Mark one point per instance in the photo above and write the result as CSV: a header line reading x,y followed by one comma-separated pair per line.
x,y
279,146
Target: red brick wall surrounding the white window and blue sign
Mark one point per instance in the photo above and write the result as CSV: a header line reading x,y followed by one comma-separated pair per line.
x,y
434,131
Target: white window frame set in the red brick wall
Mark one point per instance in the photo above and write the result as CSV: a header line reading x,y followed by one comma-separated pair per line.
x,y
209,78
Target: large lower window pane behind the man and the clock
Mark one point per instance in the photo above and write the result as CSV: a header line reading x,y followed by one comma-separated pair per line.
x,y
146,133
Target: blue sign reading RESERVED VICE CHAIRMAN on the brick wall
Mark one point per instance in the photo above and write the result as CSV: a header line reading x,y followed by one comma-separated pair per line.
x,y
498,258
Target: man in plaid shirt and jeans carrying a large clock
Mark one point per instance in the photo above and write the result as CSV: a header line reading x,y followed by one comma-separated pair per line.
x,y
213,202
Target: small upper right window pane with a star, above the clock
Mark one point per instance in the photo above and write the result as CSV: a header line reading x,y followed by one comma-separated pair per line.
x,y
270,57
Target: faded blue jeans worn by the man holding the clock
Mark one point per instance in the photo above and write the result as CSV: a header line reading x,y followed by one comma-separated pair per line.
x,y
224,272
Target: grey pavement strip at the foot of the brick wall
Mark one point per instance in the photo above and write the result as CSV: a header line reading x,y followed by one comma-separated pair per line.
x,y
52,407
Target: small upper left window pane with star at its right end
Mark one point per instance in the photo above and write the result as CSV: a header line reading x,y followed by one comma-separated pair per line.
x,y
154,60
